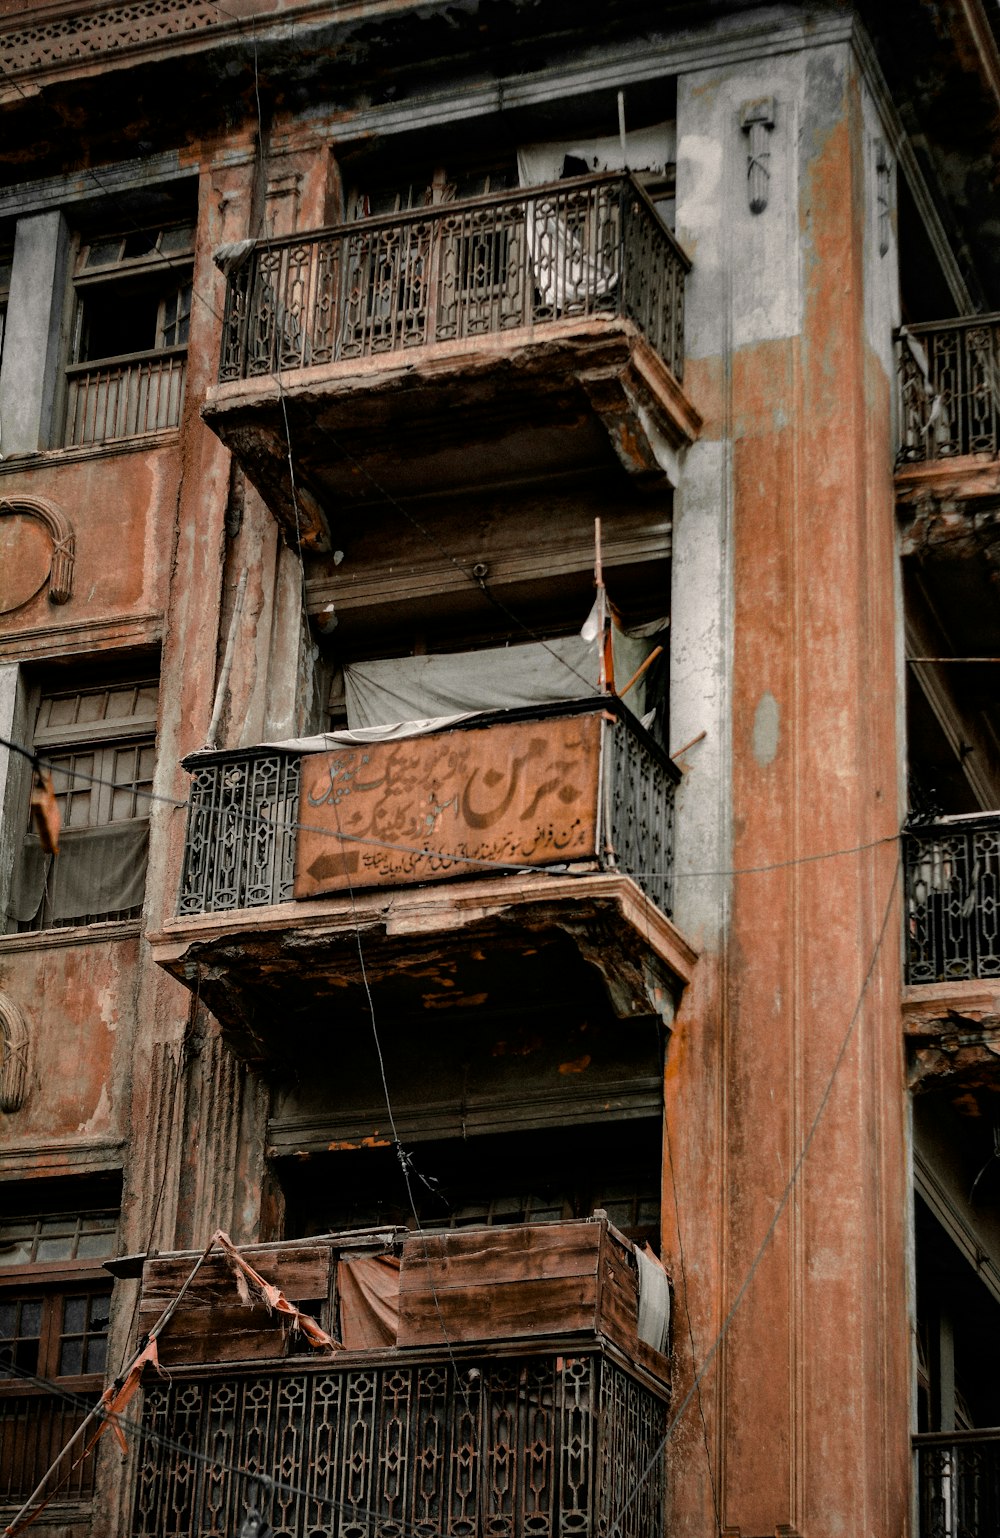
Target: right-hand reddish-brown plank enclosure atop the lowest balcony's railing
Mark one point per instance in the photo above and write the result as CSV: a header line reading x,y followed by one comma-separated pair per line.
x,y
518,1283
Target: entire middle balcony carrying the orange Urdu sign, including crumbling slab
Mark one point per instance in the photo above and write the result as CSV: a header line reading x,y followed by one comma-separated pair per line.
x,y
522,850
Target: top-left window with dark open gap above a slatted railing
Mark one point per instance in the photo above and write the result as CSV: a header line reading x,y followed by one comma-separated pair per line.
x,y
130,335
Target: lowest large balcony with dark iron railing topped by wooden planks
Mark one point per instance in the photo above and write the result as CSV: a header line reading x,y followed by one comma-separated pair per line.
x,y
539,1413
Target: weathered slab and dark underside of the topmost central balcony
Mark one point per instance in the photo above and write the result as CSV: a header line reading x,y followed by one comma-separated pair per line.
x,y
530,401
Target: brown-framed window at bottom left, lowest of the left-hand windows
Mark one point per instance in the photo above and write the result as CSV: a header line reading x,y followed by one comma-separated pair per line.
x,y
55,1311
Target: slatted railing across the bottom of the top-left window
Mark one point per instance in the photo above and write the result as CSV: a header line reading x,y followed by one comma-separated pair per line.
x,y
124,399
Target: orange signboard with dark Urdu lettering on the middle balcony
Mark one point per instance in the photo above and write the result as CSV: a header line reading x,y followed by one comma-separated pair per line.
x,y
518,793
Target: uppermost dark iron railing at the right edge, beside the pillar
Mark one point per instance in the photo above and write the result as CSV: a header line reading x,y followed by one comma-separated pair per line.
x,y
950,390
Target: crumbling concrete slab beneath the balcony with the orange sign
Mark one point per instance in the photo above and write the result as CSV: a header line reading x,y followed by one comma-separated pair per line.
x,y
272,973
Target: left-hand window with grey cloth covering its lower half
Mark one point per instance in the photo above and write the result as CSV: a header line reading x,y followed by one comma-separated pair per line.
x,y
101,747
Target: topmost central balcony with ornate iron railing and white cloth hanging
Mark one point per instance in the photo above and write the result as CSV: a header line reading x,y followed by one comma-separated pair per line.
x,y
518,335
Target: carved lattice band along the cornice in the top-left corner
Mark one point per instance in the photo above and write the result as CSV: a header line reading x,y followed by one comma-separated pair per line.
x,y
72,39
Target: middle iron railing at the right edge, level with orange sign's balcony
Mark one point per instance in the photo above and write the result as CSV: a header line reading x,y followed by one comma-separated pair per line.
x,y
953,900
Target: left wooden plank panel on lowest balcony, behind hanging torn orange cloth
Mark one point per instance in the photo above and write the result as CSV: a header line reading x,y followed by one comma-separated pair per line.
x,y
212,1323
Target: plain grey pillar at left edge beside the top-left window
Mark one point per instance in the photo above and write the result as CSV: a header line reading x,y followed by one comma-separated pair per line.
x,y
35,342
